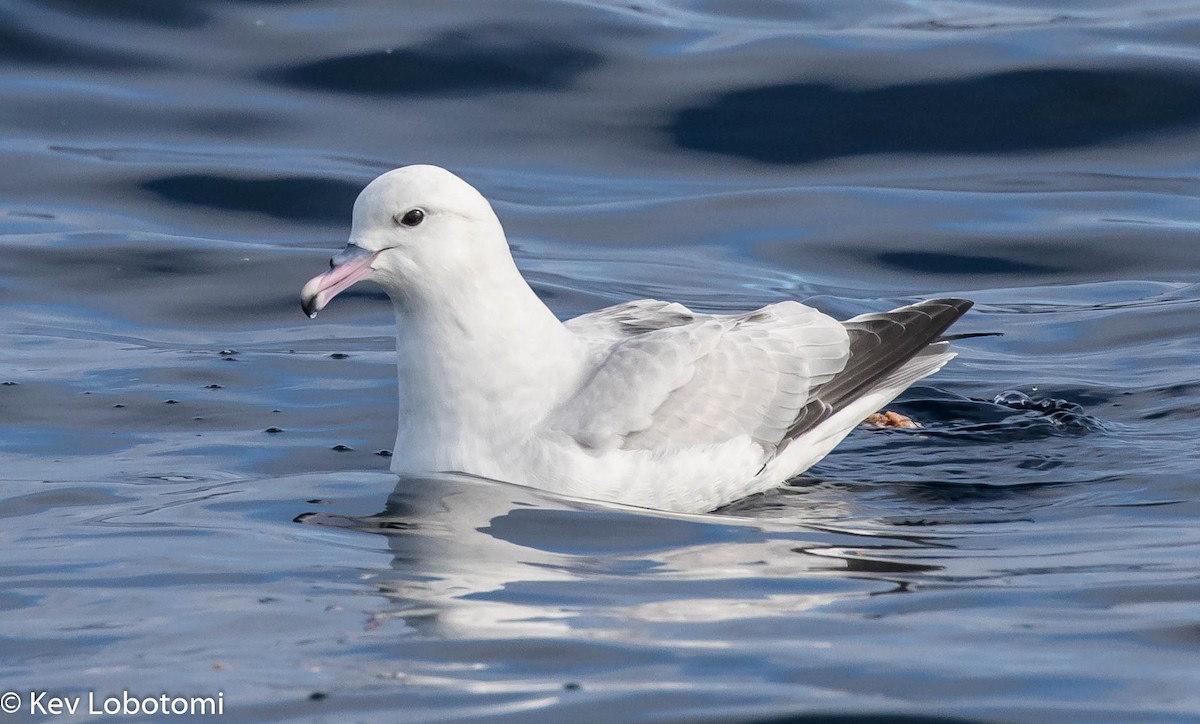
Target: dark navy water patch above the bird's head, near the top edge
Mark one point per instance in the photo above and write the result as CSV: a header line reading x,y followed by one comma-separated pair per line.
x,y
457,63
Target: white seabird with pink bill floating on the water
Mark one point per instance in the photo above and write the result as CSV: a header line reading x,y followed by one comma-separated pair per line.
x,y
645,403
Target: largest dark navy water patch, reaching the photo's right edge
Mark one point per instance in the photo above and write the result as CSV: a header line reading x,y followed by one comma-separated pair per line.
x,y
1001,113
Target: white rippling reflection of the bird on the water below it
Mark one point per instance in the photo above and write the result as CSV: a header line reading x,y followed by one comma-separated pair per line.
x,y
478,559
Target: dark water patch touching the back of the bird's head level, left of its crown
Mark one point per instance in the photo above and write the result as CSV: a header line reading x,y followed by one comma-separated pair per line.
x,y
293,199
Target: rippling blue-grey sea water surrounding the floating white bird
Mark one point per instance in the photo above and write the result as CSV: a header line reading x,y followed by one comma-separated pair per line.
x,y
175,171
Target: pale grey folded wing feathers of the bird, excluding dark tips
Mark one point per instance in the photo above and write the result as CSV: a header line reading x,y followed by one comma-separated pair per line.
x,y
693,380
